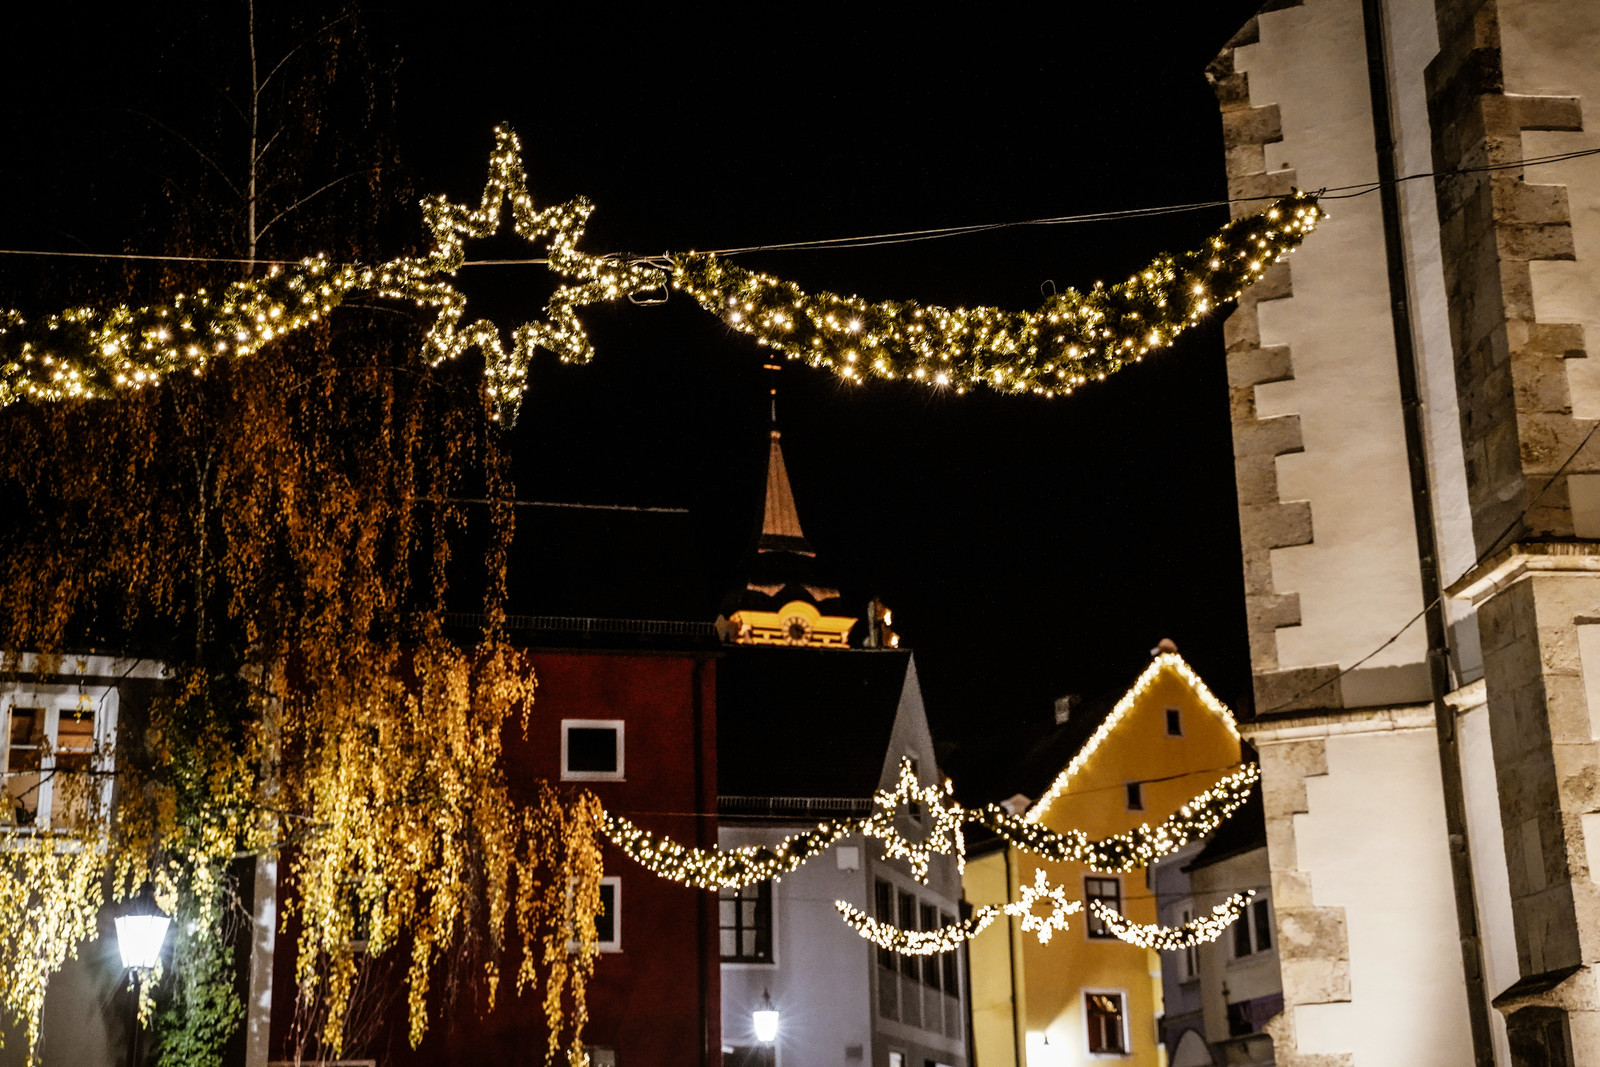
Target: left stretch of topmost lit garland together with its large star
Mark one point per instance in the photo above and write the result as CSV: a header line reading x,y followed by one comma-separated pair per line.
x,y
89,353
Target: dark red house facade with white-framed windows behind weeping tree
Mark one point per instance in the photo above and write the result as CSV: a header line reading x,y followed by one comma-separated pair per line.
x,y
638,729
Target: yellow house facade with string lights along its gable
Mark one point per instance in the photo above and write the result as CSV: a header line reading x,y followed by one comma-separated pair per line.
x,y
1087,997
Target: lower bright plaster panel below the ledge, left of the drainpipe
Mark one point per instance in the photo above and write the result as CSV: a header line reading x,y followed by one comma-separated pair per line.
x,y
1374,844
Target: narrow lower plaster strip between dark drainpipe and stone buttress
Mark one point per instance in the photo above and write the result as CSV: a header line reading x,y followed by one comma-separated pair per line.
x,y
1490,881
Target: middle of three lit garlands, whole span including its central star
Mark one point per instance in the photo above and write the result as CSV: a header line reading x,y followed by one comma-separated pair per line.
x,y
729,869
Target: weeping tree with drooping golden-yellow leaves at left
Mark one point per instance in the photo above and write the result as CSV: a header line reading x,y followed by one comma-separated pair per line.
x,y
278,533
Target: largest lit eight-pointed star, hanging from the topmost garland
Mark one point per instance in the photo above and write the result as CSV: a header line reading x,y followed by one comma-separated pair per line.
x,y
593,279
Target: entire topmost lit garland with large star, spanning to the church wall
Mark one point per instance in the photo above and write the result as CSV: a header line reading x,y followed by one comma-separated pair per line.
x,y
95,353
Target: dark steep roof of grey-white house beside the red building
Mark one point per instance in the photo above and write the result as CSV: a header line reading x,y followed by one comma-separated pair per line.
x,y
796,722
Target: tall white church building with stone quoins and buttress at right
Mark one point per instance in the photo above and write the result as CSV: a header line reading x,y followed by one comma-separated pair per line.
x,y
1420,505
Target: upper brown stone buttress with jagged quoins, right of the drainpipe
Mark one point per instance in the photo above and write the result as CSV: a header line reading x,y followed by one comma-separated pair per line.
x,y
1518,423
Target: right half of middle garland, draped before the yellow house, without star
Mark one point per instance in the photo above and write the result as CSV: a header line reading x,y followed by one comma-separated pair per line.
x,y
1132,850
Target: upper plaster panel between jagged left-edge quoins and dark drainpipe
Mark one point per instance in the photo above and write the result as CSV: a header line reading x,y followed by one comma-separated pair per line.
x,y
1358,581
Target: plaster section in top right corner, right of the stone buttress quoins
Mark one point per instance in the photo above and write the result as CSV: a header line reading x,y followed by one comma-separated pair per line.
x,y
1550,49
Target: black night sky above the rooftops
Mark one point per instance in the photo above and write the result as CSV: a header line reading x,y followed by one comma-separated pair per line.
x,y
1030,548
